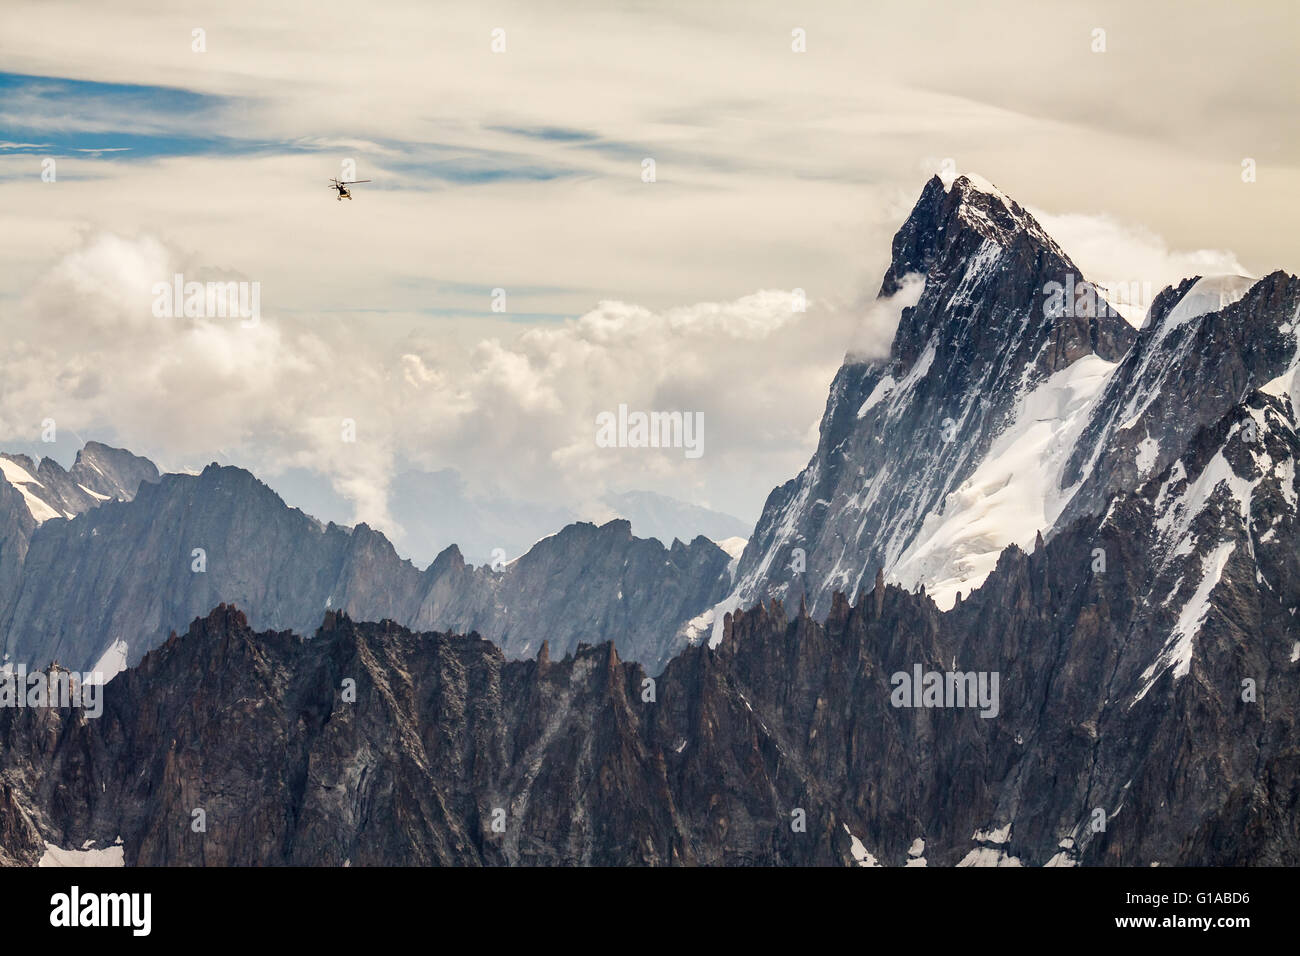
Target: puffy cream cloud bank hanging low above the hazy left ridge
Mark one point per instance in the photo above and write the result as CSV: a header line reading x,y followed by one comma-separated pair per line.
x,y
513,412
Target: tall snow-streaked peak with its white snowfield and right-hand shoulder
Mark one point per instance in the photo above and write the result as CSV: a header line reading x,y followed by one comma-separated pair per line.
x,y
1015,401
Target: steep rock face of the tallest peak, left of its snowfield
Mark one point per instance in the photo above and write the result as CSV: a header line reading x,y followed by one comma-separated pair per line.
x,y
900,436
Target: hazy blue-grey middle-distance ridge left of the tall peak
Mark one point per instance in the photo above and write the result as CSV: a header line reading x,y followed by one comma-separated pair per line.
x,y
133,572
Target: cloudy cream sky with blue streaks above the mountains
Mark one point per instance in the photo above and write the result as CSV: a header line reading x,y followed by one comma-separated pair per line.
x,y
198,140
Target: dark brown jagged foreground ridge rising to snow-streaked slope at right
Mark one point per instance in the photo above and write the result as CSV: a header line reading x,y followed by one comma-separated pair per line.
x,y
1121,732
